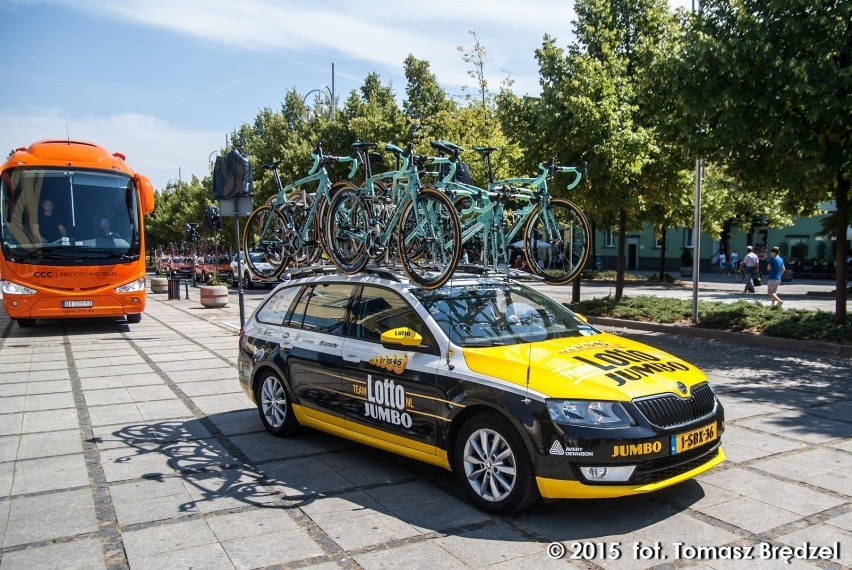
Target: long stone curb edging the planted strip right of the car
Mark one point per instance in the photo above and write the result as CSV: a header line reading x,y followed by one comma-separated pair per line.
x,y
832,349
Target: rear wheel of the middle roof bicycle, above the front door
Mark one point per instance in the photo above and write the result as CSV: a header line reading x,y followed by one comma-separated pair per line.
x,y
347,230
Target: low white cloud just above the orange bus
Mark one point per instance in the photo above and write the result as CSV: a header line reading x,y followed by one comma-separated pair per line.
x,y
153,147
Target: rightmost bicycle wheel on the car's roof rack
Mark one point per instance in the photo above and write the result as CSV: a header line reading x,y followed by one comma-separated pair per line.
x,y
556,241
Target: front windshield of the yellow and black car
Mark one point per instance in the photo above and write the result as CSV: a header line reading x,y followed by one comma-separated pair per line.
x,y
490,314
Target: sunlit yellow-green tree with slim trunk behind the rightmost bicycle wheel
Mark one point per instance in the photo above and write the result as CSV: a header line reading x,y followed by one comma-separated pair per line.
x,y
598,107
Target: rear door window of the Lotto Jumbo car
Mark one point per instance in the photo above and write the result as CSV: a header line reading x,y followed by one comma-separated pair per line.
x,y
323,308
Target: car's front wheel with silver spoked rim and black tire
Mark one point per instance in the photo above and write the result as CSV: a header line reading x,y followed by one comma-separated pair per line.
x,y
498,478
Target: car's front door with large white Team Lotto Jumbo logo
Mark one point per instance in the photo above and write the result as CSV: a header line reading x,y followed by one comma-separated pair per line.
x,y
389,393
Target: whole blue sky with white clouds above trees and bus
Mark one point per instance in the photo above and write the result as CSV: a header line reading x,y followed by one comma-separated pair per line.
x,y
164,82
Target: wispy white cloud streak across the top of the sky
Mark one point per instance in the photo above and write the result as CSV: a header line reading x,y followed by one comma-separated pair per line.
x,y
381,33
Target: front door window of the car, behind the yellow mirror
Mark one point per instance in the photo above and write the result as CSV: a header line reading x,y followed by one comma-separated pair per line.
x,y
378,310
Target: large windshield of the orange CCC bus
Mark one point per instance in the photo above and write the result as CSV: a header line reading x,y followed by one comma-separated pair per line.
x,y
56,216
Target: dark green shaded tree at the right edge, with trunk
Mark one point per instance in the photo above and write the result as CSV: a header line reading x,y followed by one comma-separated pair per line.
x,y
765,87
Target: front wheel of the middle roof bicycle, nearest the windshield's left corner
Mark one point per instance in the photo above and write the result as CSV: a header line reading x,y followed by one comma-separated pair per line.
x,y
429,235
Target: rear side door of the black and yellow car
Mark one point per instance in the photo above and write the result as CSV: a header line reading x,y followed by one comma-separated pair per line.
x,y
313,343
